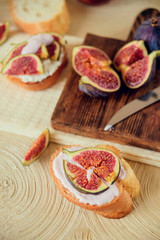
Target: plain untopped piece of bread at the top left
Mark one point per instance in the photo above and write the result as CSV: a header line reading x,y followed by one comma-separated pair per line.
x,y
40,15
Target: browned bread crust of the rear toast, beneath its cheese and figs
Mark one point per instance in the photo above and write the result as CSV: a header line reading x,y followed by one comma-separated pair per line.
x,y
45,83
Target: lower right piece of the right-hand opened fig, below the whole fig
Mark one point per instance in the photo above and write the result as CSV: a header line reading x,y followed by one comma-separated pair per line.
x,y
148,76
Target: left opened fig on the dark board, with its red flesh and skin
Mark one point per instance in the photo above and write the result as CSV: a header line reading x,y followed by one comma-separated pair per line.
x,y
98,78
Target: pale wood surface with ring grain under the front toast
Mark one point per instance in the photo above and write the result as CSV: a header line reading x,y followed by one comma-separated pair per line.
x,y
32,208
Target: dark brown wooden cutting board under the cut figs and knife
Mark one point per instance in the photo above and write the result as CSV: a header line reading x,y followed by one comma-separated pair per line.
x,y
80,114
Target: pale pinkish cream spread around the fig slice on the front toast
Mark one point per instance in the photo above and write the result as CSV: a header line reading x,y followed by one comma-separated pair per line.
x,y
92,199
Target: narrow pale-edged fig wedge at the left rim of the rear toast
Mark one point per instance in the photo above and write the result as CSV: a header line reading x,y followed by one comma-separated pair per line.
x,y
15,51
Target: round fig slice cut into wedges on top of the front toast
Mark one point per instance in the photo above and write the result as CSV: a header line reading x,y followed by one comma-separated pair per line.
x,y
91,170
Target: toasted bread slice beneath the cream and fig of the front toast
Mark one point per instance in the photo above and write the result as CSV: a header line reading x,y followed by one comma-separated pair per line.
x,y
121,205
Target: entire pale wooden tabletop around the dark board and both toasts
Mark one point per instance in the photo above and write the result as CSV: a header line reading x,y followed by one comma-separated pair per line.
x,y
30,205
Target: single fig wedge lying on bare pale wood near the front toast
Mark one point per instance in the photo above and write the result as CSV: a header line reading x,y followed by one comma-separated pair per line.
x,y
37,148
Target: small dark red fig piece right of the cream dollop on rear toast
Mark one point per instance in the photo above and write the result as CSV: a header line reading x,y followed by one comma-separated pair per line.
x,y
54,50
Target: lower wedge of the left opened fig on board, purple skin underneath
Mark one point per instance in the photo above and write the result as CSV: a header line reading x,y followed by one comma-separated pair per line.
x,y
100,84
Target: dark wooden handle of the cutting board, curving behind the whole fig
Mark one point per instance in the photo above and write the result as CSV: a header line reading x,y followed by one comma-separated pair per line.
x,y
143,16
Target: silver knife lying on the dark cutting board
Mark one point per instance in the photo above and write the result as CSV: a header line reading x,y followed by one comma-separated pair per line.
x,y
133,107
